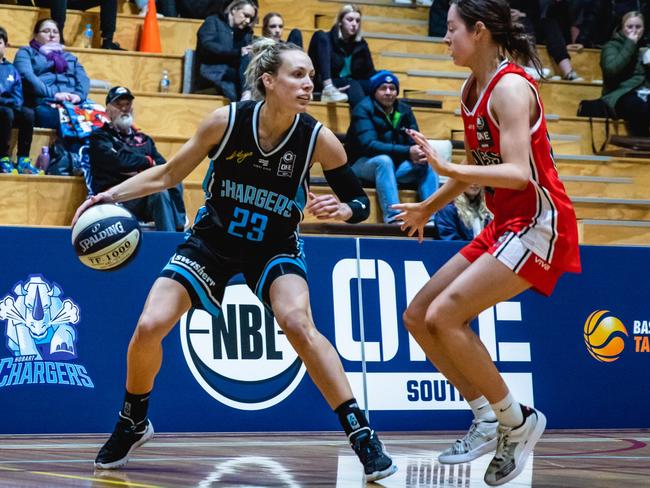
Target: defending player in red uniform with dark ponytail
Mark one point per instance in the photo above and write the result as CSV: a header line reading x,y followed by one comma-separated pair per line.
x,y
531,241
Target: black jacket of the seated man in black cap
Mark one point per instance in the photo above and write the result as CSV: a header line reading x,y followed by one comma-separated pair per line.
x,y
115,157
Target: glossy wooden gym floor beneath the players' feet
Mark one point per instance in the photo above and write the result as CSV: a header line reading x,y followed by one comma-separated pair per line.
x,y
563,459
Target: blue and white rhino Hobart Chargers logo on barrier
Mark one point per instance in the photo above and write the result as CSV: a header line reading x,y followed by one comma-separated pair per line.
x,y
41,336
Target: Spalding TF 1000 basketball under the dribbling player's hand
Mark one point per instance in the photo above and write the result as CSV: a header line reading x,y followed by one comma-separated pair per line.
x,y
106,237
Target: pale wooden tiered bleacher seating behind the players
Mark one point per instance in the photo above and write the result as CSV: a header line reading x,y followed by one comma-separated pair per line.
x,y
610,194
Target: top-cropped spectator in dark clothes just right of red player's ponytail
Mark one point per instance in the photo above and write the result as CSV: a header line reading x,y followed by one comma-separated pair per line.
x,y
556,20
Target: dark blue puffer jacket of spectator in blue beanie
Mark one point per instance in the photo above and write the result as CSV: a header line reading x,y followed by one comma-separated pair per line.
x,y
371,133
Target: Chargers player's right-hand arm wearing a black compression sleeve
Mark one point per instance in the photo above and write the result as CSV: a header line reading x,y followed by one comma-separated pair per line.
x,y
350,203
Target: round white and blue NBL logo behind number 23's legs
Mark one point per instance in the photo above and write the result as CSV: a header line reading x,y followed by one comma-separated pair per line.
x,y
241,358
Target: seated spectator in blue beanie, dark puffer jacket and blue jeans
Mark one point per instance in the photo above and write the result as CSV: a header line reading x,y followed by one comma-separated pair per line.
x,y
380,151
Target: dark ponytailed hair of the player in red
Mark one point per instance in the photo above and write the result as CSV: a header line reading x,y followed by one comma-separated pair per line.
x,y
511,36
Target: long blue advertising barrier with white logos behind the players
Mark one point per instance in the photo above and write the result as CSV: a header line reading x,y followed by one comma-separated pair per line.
x,y
581,355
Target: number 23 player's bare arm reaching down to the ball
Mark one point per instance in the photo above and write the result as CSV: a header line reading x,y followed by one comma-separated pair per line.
x,y
161,177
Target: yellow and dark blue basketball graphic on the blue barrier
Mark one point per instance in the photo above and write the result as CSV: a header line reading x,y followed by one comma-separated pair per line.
x,y
604,336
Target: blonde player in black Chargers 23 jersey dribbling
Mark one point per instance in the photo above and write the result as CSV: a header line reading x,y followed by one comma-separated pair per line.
x,y
256,192
